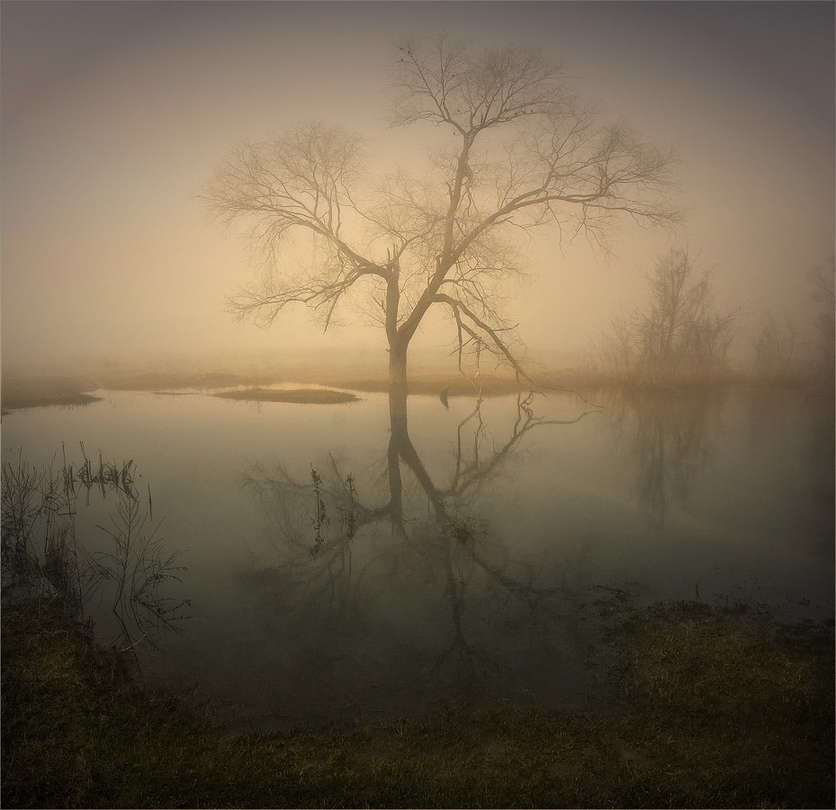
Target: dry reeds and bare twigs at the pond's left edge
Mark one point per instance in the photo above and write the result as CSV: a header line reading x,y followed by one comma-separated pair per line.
x,y
44,556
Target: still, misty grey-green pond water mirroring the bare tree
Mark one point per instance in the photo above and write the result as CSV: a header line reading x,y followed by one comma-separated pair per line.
x,y
375,609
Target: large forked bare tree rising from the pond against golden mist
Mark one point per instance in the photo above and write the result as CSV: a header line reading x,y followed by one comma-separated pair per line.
x,y
513,149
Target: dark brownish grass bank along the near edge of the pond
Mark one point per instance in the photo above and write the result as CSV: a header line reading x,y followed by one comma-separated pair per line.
x,y
704,708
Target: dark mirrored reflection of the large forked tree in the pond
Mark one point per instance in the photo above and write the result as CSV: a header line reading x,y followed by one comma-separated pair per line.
x,y
361,572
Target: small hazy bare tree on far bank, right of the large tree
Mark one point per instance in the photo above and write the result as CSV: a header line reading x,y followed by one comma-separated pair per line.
x,y
677,334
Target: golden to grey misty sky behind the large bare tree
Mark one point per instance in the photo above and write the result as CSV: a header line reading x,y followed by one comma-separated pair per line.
x,y
114,116
